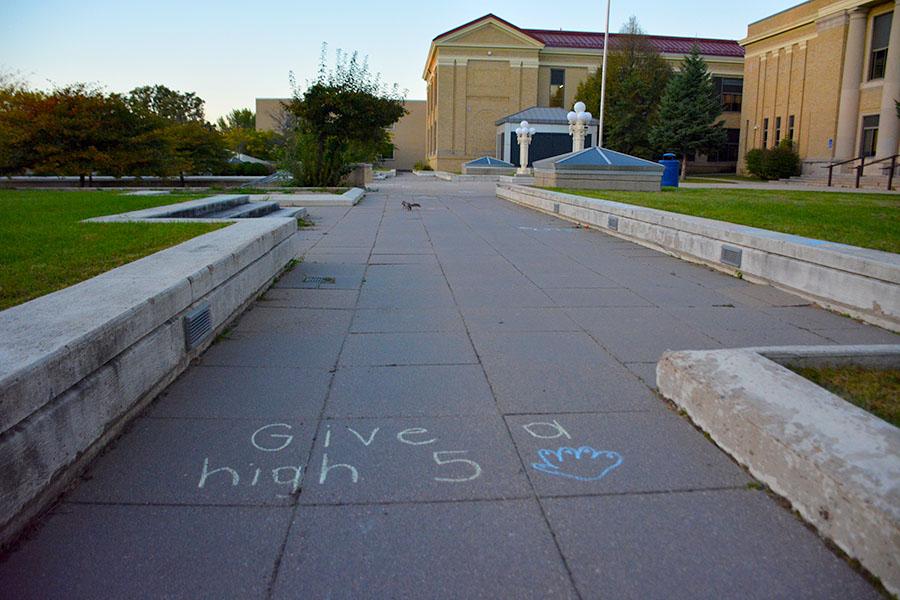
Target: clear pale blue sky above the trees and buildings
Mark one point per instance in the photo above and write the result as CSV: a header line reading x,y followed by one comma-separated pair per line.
x,y
232,52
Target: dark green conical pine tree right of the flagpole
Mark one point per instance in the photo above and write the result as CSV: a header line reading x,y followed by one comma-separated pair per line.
x,y
689,112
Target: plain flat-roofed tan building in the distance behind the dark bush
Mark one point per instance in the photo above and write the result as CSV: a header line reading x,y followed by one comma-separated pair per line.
x,y
407,134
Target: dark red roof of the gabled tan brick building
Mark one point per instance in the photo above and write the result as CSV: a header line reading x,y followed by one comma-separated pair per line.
x,y
591,40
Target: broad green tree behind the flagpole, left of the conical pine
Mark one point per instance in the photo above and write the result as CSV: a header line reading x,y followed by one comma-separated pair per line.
x,y
636,79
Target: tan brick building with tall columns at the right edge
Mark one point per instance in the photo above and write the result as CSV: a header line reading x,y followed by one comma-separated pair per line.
x,y
824,73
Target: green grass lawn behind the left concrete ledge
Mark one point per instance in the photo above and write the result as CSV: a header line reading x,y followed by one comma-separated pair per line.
x,y
44,247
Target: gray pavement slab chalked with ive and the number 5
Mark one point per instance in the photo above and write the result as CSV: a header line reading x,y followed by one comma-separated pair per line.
x,y
413,459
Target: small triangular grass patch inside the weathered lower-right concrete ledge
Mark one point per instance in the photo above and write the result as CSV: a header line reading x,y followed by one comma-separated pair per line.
x,y
874,390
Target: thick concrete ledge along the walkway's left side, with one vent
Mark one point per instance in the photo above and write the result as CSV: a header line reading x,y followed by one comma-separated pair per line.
x,y
77,363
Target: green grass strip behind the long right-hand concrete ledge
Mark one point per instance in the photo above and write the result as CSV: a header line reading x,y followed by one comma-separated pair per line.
x,y
867,220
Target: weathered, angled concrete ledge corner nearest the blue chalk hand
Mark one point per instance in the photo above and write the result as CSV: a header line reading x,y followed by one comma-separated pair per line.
x,y
838,465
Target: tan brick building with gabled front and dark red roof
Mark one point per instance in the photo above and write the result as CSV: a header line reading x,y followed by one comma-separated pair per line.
x,y
488,69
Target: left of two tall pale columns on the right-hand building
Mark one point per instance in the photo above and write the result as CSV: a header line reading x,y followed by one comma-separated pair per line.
x,y
848,113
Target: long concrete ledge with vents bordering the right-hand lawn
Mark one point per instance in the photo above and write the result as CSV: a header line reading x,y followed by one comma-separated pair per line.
x,y
864,283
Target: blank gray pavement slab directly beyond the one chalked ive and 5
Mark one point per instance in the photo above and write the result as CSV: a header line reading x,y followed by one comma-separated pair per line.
x,y
424,390
